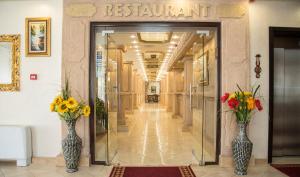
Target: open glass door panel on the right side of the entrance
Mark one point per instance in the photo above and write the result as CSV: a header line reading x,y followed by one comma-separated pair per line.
x,y
203,95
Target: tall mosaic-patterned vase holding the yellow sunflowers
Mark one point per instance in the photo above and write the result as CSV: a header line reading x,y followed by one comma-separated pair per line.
x,y
71,146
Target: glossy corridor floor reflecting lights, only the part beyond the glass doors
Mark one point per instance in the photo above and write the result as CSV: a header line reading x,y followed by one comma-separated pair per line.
x,y
155,138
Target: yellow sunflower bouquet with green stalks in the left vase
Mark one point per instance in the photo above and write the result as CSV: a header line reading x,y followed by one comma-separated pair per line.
x,y
67,107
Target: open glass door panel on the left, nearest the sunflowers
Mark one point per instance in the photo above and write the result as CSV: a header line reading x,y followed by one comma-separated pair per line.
x,y
107,97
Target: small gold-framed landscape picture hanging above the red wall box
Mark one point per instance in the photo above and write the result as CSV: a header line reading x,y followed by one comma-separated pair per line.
x,y
38,37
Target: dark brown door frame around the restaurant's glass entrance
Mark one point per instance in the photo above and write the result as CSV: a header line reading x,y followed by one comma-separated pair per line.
x,y
93,25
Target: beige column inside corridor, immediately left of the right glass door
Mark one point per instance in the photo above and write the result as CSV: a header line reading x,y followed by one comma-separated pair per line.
x,y
188,78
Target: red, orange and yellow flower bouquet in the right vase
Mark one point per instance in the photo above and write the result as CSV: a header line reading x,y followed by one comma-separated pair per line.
x,y
243,103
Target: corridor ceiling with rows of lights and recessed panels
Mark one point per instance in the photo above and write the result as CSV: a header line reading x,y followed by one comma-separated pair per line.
x,y
142,51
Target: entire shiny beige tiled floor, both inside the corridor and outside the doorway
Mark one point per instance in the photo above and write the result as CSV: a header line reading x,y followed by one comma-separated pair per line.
x,y
155,139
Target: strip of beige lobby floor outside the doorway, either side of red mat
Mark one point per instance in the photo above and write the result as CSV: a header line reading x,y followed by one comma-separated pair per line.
x,y
46,170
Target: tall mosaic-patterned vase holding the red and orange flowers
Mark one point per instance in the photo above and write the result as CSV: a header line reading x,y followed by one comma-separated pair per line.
x,y
242,150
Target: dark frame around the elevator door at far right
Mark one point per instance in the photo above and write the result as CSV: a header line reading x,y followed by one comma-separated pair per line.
x,y
275,32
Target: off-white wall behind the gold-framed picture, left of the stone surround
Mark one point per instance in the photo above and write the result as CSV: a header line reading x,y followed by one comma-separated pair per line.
x,y
30,105
